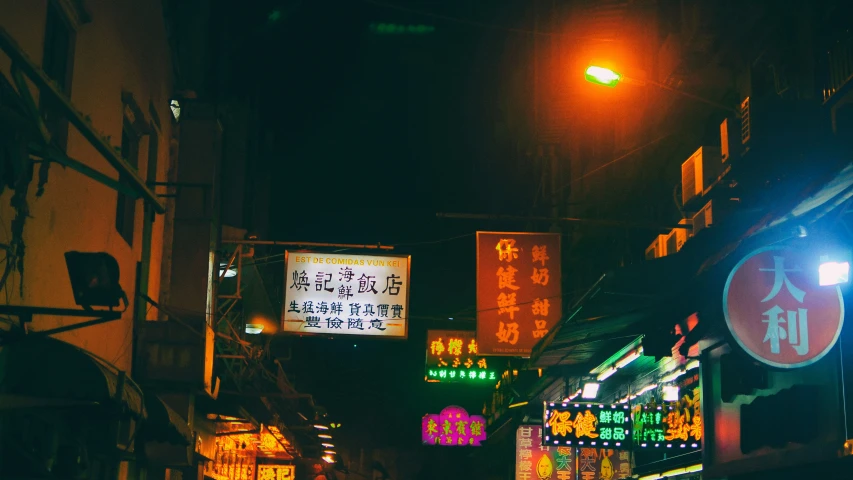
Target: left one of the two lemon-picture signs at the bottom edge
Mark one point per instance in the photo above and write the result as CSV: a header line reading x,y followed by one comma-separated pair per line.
x,y
533,461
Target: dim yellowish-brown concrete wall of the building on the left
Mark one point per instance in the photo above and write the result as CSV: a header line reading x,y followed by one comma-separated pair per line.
x,y
122,48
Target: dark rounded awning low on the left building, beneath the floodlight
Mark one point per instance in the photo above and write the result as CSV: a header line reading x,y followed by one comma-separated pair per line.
x,y
44,372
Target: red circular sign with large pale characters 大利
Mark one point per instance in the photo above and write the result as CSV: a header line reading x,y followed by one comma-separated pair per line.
x,y
777,311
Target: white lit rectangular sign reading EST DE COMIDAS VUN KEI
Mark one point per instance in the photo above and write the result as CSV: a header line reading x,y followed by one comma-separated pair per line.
x,y
334,294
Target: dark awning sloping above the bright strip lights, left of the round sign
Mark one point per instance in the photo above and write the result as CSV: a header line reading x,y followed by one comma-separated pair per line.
x,y
617,309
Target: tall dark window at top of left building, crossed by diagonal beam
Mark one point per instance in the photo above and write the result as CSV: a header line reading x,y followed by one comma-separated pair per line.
x,y
57,63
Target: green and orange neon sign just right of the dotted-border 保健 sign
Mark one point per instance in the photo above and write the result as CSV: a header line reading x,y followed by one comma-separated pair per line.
x,y
676,425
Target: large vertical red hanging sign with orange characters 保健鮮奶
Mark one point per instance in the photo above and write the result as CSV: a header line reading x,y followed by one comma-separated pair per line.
x,y
518,290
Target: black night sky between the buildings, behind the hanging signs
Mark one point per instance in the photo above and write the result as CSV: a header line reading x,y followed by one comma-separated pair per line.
x,y
376,134
